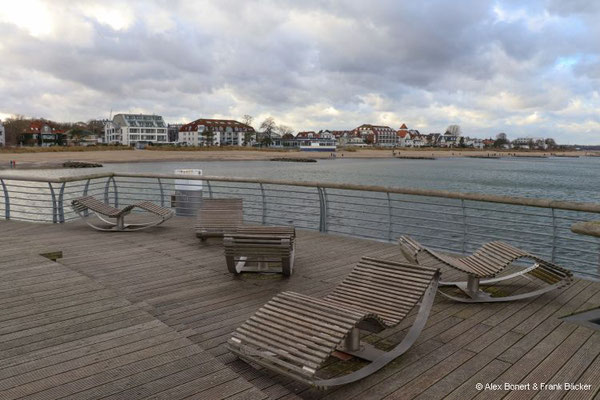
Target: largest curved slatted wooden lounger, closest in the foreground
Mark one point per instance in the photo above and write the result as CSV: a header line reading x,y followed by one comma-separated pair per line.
x,y
294,334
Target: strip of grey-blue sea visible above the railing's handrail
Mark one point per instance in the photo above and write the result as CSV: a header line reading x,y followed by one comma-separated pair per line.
x,y
576,179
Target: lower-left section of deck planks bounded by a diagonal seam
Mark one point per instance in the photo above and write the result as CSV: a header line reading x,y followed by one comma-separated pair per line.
x,y
90,342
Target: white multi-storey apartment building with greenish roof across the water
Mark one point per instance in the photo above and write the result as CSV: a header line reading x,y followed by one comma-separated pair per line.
x,y
129,129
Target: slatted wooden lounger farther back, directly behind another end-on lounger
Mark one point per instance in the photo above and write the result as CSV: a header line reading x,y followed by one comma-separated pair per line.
x,y
217,216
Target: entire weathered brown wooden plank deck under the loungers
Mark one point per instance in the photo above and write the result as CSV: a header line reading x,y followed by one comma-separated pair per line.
x,y
146,315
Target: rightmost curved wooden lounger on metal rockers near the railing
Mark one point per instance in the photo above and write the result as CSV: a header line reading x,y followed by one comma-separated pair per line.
x,y
486,262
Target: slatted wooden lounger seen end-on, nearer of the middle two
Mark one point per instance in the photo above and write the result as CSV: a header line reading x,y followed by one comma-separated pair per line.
x,y
260,249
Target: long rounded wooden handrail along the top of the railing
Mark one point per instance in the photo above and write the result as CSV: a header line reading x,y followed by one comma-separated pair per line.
x,y
489,198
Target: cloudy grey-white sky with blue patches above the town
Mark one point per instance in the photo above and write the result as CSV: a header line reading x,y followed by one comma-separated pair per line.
x,y
527,68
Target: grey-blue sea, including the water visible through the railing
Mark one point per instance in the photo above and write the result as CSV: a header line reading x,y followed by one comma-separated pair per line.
x,y
575,179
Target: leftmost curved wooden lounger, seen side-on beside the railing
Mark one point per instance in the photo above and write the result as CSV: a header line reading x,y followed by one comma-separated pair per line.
x,y
103,211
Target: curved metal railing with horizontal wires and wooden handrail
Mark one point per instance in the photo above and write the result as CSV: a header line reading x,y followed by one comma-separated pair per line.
x,y
451,221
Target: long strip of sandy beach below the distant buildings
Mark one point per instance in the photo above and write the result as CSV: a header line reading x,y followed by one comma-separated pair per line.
x,y
55,159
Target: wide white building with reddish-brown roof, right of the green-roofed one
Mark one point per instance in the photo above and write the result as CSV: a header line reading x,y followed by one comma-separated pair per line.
x,y
216,132
